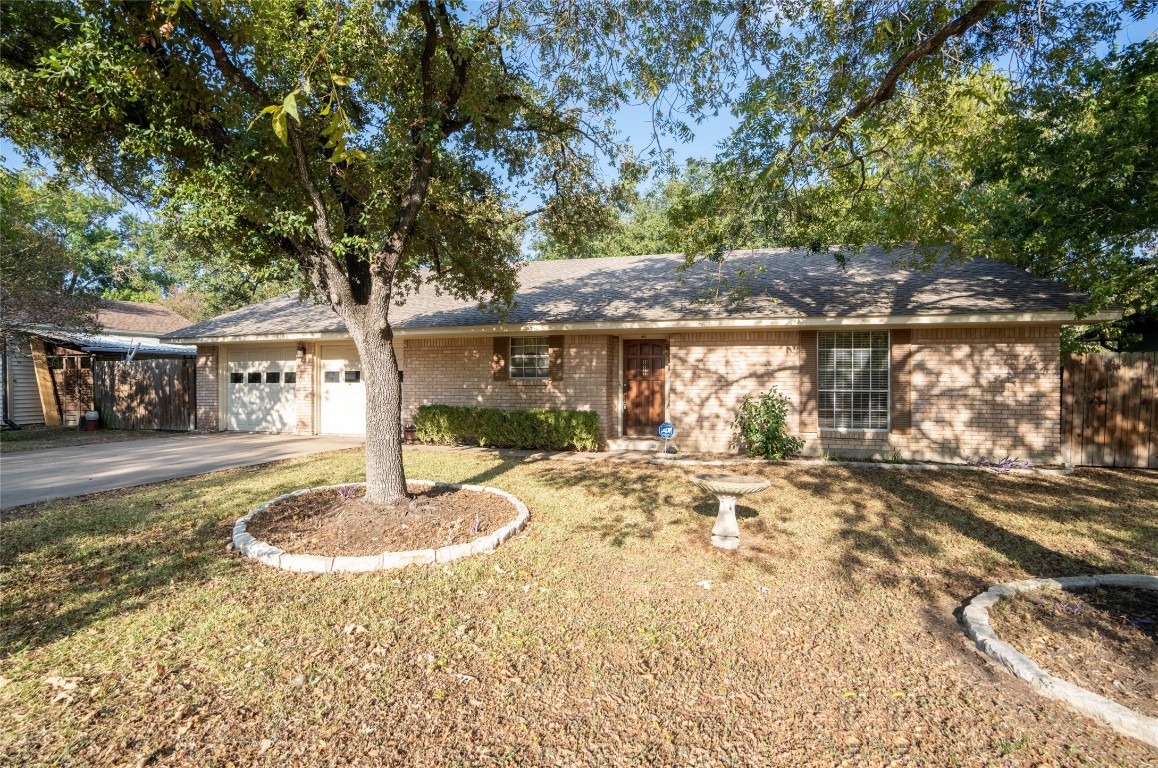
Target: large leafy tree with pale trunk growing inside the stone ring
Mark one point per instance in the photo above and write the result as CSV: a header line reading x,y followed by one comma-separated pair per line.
x,y
377,145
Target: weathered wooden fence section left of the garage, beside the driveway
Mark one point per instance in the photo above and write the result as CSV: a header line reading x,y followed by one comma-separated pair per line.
x,y
145,394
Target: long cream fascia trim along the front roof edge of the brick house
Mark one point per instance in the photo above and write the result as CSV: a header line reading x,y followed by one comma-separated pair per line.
x,y
503,330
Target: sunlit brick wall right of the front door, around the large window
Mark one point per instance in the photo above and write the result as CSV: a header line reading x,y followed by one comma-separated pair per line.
x,y
977,393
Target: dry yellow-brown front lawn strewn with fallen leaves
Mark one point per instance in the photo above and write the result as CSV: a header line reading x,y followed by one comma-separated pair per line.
x,y
133,638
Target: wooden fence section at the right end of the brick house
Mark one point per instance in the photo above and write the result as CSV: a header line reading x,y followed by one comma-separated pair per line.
x,y
1110,411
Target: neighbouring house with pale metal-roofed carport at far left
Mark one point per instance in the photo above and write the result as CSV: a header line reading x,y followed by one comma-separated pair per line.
x,y
48,379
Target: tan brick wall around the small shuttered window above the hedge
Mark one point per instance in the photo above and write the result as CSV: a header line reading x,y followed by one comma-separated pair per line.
x,y
458,372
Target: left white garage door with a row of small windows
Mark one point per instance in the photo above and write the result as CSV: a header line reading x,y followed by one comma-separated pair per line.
x,y
260,385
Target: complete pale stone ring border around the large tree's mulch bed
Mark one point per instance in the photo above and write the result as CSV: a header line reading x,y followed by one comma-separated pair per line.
x,y
269,555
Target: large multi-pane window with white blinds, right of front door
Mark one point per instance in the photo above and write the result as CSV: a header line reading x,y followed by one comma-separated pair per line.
x,y
853,381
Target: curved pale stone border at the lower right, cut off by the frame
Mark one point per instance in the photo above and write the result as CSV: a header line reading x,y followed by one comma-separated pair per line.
x,y
976,620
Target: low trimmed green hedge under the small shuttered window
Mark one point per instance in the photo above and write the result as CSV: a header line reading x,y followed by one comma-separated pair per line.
x,y
538,429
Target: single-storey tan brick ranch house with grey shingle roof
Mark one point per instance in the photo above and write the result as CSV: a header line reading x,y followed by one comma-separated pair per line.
x,y
939,365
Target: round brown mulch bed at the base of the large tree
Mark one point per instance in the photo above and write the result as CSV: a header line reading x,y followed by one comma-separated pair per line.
x,y
340,522
